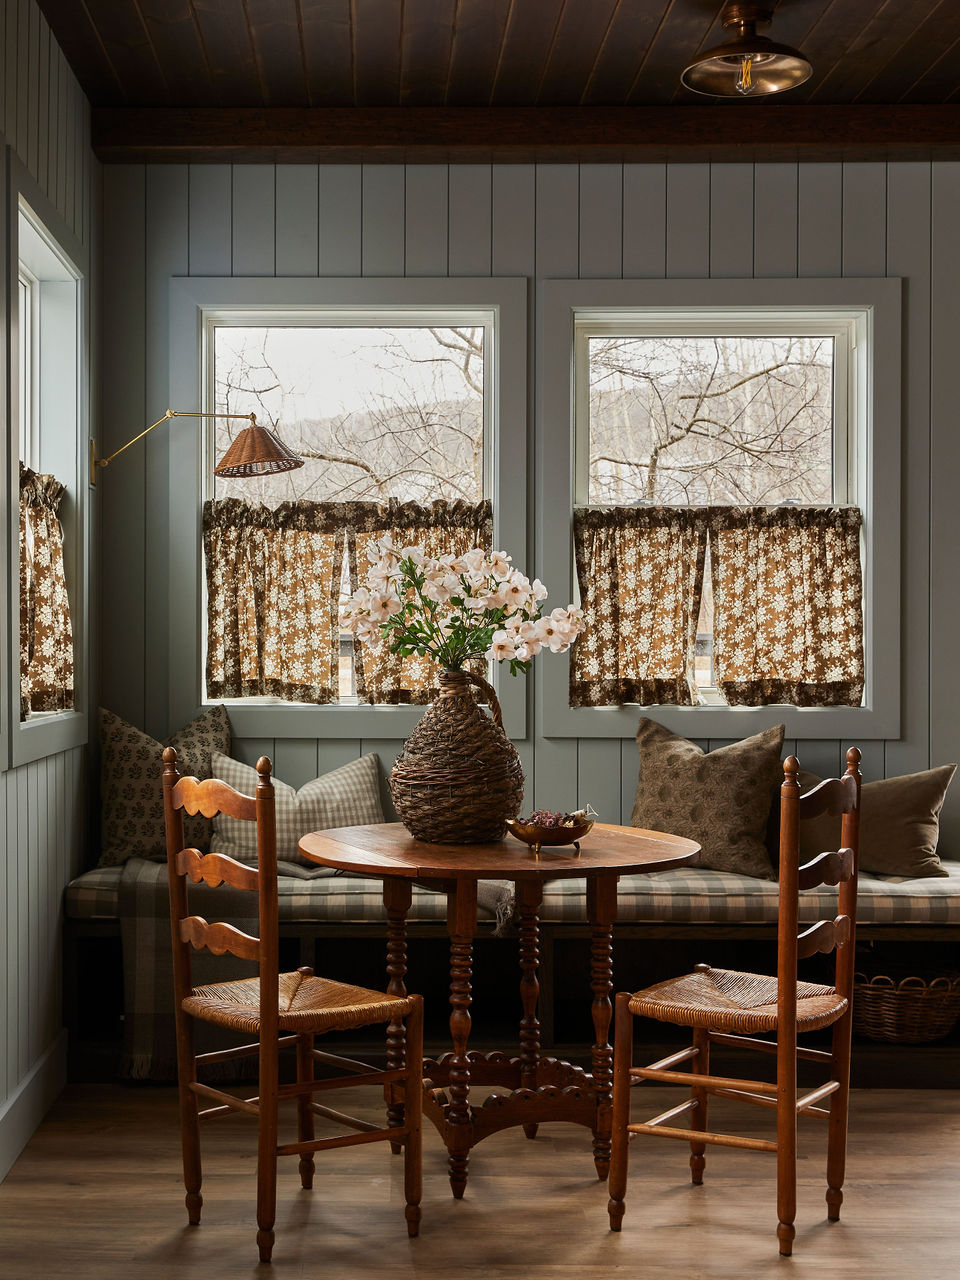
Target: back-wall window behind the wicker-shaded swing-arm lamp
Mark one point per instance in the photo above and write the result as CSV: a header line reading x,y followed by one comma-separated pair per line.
x,y
392,391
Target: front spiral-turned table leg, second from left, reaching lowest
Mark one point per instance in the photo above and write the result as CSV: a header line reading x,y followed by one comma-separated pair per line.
x,y
461,918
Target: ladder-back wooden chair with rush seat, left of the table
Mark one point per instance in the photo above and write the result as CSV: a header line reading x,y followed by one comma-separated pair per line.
x,y
280,1009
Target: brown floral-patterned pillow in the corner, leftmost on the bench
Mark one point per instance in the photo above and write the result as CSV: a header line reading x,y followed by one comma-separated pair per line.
x,y
132,794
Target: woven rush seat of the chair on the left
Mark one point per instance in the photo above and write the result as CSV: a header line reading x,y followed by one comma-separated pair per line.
x,y
308,1004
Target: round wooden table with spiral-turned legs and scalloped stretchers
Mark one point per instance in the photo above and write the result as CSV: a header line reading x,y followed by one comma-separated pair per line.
x,y
542,1089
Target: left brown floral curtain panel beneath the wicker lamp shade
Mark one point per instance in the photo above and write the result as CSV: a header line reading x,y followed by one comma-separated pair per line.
x,y
273,593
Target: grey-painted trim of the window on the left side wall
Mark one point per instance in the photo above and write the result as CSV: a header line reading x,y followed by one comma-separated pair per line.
x,y
53,733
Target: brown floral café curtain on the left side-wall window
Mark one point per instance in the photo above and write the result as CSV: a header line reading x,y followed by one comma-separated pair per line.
x,y
47,633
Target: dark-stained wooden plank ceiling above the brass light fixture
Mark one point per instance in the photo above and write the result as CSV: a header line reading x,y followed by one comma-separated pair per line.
x,y
441,56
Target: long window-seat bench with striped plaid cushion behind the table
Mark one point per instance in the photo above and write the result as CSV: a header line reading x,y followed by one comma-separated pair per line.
x,y
337,924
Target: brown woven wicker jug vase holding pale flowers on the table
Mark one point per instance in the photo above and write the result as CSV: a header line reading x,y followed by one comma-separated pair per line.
x,y
459,776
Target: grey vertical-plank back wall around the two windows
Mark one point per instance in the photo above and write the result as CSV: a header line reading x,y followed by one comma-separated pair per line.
x,y
546,222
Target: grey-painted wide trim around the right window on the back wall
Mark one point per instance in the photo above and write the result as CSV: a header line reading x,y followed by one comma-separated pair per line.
x,y
876,483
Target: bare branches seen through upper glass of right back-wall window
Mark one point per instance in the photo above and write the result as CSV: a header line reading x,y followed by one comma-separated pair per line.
x,y
715,420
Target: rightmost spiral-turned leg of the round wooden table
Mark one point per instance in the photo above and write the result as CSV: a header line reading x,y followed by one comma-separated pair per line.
x,y
602,912
